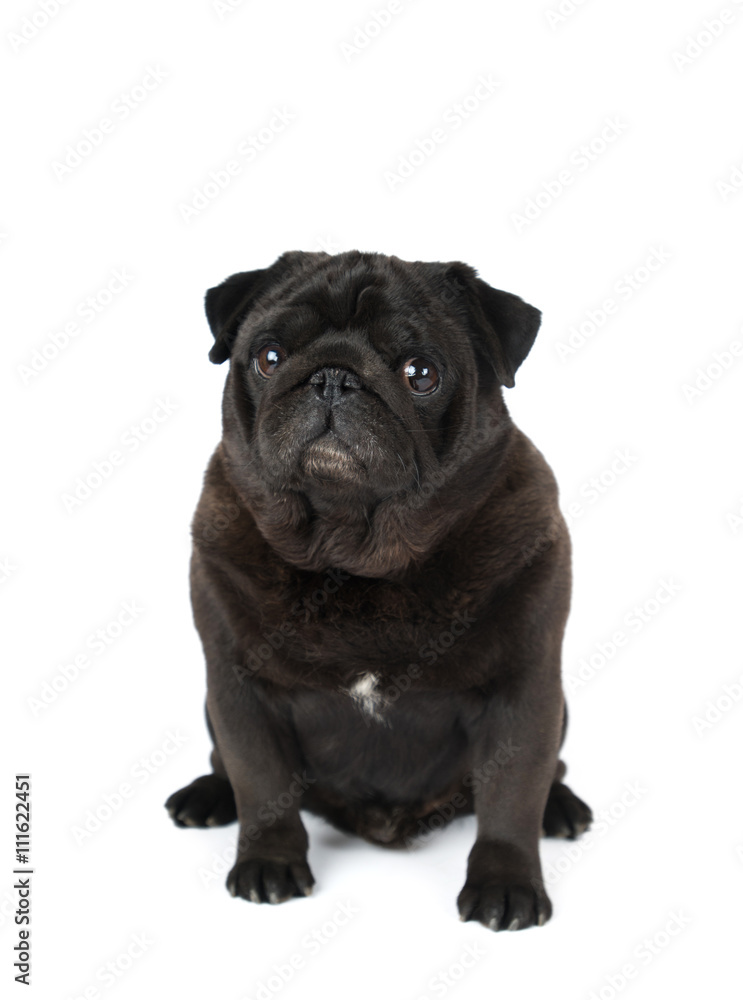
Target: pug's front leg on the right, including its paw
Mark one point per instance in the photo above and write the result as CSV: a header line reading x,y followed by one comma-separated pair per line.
x,y
514,754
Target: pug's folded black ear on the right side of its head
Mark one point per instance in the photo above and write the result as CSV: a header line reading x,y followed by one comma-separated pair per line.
x,y
506,325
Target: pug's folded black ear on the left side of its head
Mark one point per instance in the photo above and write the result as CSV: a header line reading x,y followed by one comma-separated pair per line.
x,y
228,304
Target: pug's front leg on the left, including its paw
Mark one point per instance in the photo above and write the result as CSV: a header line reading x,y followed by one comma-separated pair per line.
x,y
263,765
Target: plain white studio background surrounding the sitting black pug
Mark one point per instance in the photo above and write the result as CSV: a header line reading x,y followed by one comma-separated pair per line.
x,y
671,515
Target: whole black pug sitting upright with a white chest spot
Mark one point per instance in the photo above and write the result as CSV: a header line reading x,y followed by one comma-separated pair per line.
x,y
380,578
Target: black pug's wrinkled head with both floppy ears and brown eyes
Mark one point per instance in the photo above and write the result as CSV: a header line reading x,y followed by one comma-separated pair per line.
x,y
363,414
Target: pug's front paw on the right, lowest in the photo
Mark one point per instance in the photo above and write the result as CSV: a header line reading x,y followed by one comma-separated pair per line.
x,y
505,905
